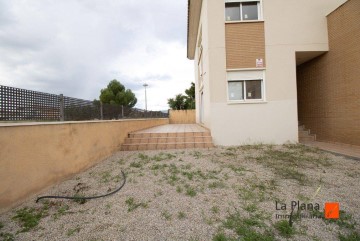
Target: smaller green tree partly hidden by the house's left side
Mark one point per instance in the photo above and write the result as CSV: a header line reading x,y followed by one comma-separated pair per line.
x,y
183,102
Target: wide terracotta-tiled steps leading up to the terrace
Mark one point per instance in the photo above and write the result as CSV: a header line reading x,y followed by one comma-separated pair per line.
x,y
165,141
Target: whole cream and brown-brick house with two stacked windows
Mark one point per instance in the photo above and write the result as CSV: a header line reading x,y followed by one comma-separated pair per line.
x,y
264,66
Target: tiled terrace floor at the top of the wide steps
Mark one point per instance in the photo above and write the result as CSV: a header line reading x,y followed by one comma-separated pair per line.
x,y
174,128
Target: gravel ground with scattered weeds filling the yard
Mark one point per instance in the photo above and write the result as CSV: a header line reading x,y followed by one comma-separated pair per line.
x,y
216,194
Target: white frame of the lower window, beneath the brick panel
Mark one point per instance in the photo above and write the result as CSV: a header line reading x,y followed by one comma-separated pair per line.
x,y
246,75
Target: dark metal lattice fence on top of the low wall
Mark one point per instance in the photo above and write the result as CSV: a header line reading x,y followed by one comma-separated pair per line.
x,y
27,105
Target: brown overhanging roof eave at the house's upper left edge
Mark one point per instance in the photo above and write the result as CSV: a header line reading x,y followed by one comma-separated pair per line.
x,y
194,11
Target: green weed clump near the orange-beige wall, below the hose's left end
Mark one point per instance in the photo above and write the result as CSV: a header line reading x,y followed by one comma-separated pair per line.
x,y
29,218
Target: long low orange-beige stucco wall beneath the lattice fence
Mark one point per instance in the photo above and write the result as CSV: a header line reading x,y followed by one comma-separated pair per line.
x,y
35,156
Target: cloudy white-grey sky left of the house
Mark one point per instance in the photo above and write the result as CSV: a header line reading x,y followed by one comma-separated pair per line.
x,y
76,47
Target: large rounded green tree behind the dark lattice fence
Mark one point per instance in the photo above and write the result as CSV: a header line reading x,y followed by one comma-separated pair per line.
x,y
116,94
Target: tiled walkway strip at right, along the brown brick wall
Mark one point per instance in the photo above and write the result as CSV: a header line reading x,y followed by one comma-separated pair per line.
x,y
337,148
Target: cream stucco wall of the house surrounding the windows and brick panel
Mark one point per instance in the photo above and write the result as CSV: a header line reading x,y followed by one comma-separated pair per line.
x,y
290,26
